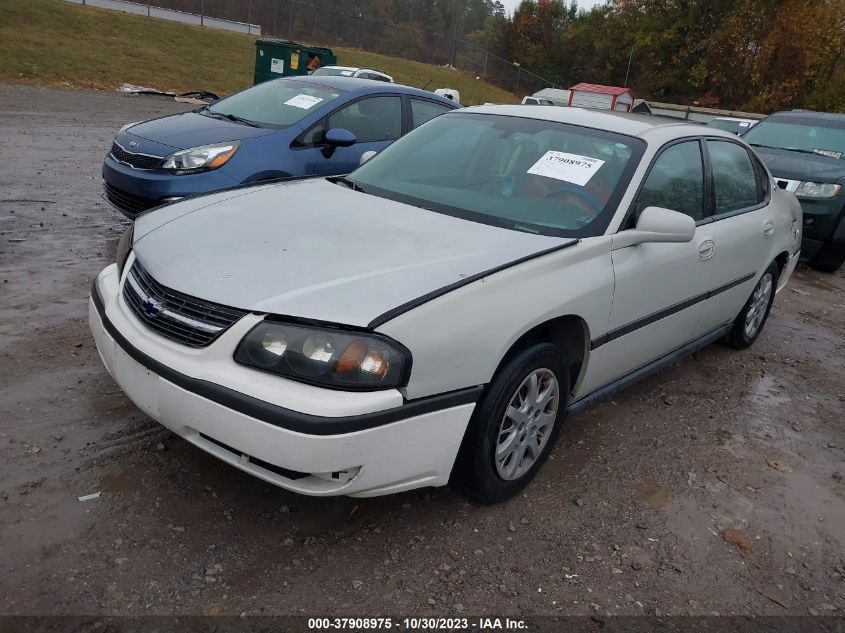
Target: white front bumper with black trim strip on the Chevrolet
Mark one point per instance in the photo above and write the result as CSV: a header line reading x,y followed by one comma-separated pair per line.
x,y
285,436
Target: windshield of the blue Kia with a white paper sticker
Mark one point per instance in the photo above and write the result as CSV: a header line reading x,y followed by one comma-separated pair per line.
x,y
276,103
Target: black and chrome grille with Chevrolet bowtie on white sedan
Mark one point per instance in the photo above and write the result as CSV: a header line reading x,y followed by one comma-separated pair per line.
x,y
177,316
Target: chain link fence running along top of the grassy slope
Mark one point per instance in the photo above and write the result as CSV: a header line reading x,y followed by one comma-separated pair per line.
x,y
304,22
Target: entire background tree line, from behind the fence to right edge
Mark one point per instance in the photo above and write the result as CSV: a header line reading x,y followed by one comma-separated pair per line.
x,y
755,55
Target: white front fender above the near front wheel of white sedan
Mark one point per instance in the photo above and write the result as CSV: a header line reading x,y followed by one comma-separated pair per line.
x,y
458,339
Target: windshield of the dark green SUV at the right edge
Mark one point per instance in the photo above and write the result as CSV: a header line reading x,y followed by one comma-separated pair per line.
x,y
813,136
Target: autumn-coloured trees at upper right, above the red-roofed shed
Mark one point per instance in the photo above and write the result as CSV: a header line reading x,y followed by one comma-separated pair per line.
x,y
755,55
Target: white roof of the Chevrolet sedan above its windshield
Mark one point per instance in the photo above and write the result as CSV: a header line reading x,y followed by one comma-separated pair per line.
x,y
639,125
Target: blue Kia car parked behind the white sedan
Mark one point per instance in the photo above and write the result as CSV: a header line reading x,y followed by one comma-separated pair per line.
x,y
292,127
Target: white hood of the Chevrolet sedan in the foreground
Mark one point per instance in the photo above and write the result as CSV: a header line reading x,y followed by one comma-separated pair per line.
x,y
318,250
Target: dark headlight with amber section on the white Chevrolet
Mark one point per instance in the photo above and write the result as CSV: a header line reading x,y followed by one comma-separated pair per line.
x,y
326,357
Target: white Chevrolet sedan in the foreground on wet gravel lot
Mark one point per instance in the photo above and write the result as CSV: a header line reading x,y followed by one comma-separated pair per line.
x,y
435,315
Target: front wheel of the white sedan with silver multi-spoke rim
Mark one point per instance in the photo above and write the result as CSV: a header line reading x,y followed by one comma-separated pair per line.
x,y
531,435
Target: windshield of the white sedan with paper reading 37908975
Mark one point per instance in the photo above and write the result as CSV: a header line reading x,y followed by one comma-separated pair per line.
x,y
520,173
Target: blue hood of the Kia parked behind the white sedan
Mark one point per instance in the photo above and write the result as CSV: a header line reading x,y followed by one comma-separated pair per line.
x,y
182,131
